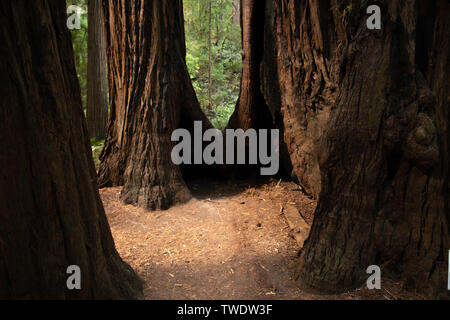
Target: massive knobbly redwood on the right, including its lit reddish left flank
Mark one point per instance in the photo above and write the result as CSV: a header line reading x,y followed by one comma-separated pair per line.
x,y
365,113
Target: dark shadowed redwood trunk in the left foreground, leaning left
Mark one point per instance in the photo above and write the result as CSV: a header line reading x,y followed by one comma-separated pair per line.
x,y
51,215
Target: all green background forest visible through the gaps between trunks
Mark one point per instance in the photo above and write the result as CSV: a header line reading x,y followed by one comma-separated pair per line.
x,y
213,43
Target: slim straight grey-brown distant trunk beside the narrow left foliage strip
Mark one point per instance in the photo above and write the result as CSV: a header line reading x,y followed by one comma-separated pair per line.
x,y
97,83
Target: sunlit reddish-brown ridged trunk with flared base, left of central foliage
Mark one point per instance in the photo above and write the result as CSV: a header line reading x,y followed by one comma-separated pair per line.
x,y
150,95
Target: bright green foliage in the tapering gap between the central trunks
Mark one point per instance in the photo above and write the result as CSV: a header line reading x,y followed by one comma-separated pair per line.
x,y
226,62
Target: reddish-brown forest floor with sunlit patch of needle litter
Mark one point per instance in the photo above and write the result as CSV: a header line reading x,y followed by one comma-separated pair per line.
x,y
231,241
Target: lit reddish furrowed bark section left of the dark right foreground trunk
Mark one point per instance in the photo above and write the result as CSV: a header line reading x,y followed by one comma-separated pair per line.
x,y
299,72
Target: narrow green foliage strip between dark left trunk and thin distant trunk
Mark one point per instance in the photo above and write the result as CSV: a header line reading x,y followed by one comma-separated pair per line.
x,y
80,47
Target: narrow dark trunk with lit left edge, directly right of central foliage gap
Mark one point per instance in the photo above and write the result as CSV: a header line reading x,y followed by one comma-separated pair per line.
x,y
252,111
